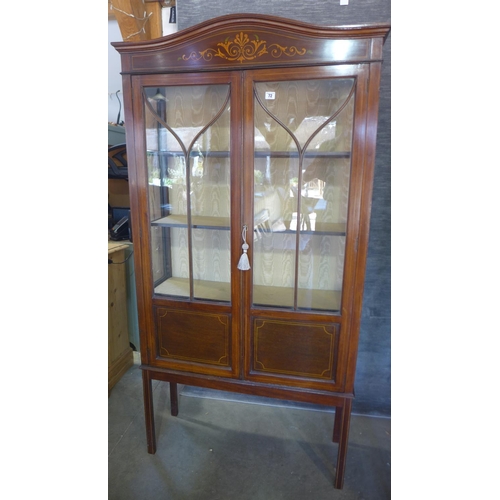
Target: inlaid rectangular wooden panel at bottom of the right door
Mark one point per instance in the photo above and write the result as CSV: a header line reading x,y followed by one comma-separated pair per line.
x,y
295,349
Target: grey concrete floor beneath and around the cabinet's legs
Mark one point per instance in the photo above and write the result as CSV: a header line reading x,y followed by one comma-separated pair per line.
x,y
228,449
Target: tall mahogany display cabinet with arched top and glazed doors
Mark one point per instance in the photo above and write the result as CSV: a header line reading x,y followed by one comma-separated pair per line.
x,y
251,144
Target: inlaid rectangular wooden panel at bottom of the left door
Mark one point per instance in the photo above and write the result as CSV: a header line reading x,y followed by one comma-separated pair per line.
x,y
194,336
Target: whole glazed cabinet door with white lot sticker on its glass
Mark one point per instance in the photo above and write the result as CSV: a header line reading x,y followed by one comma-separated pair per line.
x,y
302,158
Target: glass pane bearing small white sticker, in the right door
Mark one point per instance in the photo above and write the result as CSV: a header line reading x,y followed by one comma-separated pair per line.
x,y
303,135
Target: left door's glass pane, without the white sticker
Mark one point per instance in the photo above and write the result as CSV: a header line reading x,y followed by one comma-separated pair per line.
x,y
187,139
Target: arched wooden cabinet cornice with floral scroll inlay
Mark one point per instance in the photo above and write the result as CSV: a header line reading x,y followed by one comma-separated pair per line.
x,y
248,41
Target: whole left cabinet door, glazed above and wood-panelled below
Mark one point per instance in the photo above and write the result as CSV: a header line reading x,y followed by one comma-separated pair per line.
x,y
191,186
